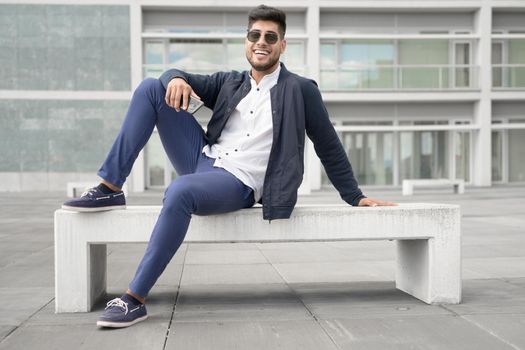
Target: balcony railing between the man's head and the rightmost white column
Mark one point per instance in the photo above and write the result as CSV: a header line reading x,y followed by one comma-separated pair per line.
x,y
400,77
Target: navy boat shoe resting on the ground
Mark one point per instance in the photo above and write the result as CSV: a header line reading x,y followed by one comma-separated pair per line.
x,y
120,314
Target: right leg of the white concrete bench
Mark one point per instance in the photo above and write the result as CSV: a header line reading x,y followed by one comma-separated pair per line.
x,y
428,271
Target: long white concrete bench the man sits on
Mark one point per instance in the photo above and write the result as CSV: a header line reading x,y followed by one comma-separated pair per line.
x,y
428,262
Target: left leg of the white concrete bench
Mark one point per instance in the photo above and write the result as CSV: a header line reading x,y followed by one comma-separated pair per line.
x,y
80,272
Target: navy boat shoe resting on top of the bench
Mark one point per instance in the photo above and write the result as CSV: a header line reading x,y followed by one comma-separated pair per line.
x,y
94,199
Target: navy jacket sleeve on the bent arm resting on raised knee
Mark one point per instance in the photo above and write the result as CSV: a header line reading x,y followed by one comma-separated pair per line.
x,y
206,86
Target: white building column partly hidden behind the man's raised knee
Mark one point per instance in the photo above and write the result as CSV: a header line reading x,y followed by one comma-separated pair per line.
x,y
136,180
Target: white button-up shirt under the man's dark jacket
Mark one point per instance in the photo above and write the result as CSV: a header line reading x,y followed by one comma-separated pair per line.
x,y
243,149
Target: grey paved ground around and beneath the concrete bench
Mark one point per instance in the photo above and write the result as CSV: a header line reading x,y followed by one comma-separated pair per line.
x,y
275,296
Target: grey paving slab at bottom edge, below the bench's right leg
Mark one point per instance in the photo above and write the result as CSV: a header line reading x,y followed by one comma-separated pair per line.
x,y
450,332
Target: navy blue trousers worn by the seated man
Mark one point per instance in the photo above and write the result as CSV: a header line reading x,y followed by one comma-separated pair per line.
x,y
200,188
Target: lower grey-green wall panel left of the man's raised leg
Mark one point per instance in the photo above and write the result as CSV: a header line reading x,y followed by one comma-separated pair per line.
x,y
57,136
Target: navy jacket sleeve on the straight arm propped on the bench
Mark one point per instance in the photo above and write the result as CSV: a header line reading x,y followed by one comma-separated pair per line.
x,y
327,145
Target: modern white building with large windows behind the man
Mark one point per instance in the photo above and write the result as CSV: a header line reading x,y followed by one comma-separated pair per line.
x,y
415,89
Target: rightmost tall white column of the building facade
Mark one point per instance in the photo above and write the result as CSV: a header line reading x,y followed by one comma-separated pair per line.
x,y
482,173
